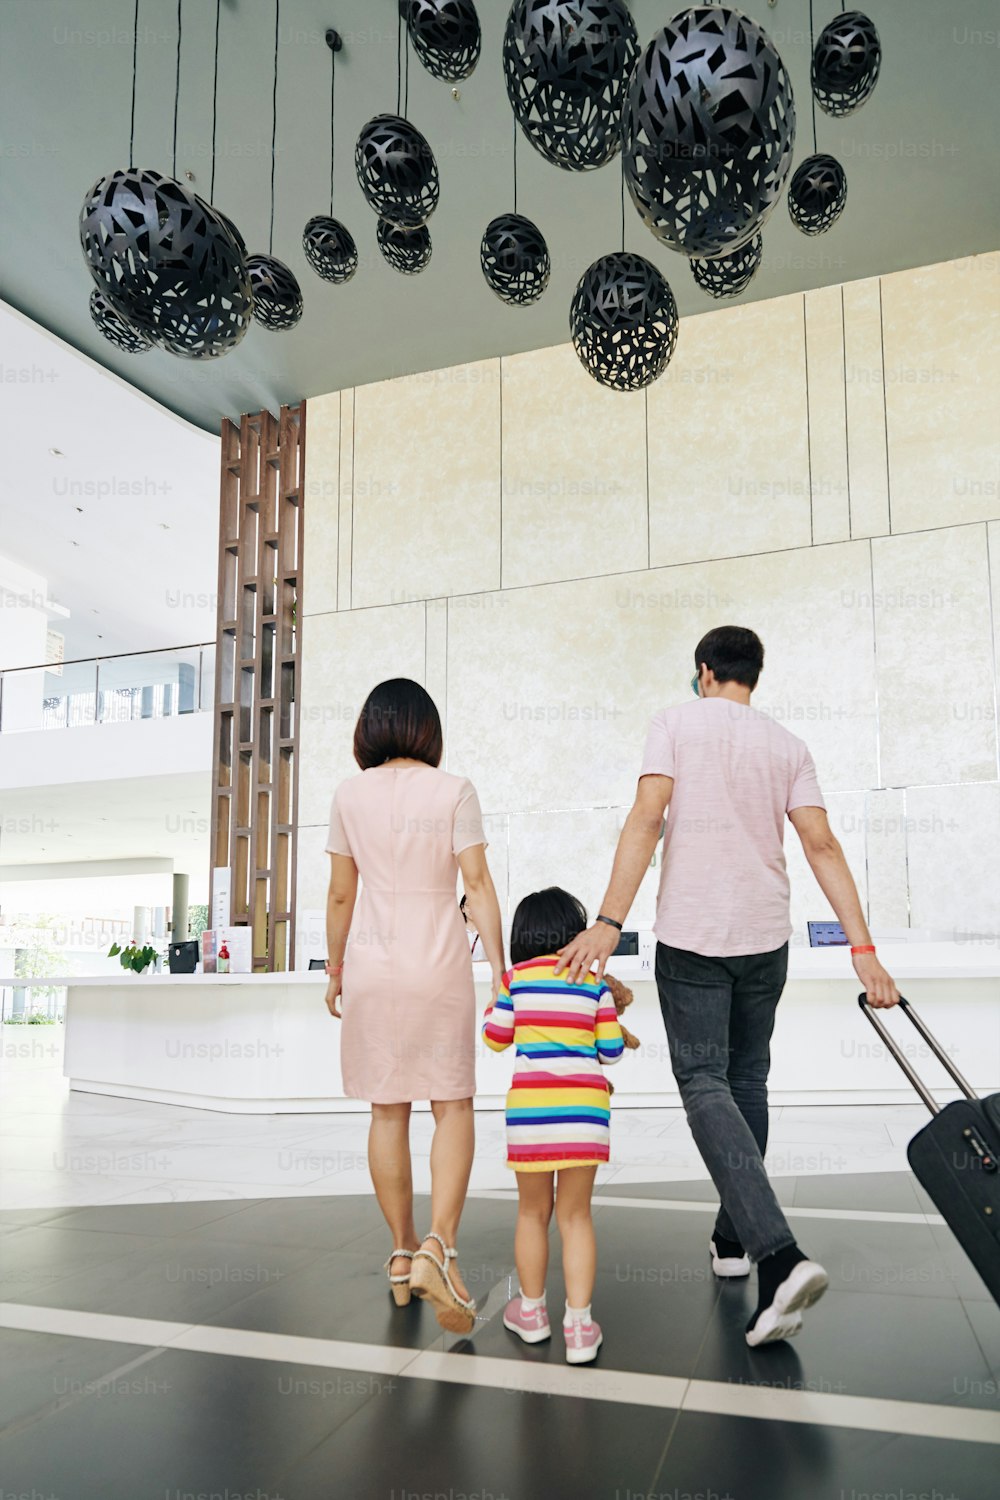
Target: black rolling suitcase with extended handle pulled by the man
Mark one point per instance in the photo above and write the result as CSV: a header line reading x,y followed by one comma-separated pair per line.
x,y
956,1157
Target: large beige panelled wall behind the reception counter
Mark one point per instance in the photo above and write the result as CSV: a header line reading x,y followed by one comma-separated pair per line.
x,y
545,556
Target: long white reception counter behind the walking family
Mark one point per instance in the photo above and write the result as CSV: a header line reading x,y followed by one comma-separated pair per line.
x,y
266,1043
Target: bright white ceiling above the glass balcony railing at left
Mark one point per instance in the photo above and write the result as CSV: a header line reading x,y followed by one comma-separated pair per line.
x,y
124,521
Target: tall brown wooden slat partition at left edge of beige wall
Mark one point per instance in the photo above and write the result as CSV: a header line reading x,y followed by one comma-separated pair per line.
x,y
256,782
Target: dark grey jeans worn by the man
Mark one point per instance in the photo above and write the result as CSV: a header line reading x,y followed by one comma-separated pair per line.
x,y
720,1016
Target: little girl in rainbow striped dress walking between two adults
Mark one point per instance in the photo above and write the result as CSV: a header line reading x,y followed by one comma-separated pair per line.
x,y
558,1112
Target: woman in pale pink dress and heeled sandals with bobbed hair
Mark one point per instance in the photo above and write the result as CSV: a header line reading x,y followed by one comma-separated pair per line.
x,y
404,985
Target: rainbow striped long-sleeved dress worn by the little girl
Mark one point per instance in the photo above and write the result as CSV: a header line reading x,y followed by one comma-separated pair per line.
x,y
558,1108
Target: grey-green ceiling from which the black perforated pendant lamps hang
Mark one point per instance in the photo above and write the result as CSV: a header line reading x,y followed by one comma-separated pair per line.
x,y
920,157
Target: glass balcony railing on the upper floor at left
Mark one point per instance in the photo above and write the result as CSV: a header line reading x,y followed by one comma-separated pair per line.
x,y
109,691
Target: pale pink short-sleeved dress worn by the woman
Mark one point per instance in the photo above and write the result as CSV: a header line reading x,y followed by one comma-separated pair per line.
x,y
409,1004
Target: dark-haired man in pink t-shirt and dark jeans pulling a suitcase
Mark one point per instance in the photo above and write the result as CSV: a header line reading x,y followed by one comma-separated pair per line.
x,y
725,778
